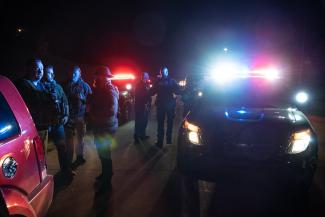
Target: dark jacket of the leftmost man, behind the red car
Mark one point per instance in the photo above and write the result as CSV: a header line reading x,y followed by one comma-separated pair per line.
x,y
39,102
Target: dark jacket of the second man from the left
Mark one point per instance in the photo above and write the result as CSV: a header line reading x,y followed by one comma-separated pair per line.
x,y
59,97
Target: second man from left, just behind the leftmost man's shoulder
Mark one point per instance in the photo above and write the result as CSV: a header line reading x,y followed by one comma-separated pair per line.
x,y
56,130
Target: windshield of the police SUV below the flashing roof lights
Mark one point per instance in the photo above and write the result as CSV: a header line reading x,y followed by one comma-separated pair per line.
x,y
252,94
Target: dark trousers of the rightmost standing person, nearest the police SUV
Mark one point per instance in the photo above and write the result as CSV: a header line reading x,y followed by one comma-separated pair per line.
x,y
162,112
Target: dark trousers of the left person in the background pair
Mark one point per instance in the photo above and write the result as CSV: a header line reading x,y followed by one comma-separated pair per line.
x,y
140,123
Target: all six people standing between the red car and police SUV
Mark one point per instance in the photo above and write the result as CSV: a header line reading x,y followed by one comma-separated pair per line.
x,y
59,113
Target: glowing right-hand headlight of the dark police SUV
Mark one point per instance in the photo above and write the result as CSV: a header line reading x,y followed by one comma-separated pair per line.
x,y
300,141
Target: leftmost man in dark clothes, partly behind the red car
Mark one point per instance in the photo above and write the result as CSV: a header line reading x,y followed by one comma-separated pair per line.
x,y
38,101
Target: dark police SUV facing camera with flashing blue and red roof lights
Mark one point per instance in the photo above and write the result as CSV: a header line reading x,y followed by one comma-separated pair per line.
x,y
247,121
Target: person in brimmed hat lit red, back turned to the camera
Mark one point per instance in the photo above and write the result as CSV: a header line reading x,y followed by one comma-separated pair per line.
x,y
103,111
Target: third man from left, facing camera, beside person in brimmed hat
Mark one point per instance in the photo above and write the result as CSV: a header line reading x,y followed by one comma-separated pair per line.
x,y
77,92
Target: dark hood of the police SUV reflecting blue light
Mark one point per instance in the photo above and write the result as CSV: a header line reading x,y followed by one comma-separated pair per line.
x,y
265,131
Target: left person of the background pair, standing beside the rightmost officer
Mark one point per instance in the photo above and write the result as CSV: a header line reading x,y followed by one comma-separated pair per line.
x,y
142,108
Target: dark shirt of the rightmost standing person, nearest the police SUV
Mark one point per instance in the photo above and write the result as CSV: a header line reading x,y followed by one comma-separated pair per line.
x,y
165,88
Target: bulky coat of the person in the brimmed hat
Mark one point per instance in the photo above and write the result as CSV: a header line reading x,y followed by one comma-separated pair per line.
x,y
104,108
